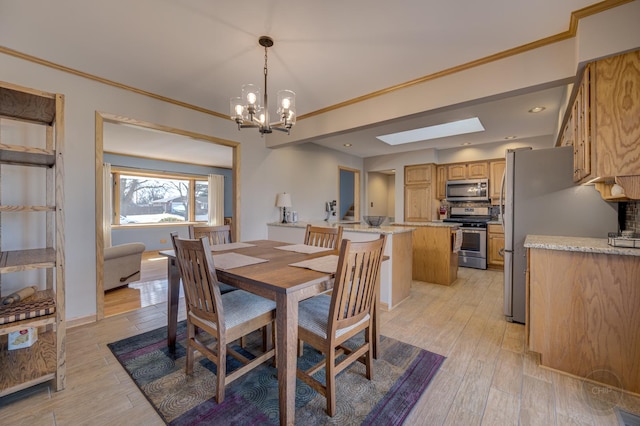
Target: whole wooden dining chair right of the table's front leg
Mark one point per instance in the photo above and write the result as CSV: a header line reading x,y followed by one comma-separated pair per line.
x,y
326,322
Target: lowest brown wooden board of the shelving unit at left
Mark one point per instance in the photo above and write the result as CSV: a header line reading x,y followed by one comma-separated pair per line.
x,y
22,368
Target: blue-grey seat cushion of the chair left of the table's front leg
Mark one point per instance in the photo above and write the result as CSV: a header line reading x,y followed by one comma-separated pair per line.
x,y
241,306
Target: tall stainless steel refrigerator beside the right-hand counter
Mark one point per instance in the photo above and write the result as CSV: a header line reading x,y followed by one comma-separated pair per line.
x,y
540,198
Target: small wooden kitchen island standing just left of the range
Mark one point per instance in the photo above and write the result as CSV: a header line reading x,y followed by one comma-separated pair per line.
x,y
434,259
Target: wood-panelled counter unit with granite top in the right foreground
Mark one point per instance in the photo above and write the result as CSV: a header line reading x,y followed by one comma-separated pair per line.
x,y
583,299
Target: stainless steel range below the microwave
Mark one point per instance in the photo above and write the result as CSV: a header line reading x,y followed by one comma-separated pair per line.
x,y
473,220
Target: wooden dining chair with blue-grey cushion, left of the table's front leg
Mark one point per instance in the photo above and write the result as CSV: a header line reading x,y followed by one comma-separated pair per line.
x,y
227,317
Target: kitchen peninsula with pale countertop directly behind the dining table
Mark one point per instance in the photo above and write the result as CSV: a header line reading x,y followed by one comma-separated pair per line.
x,y
395,276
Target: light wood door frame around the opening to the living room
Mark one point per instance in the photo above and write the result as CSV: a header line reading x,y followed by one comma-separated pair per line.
x,y
101,118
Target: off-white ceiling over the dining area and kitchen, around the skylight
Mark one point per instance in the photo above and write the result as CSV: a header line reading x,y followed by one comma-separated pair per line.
x,y
200,52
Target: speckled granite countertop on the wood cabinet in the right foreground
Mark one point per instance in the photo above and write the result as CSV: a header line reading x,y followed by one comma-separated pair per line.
x,y
577,244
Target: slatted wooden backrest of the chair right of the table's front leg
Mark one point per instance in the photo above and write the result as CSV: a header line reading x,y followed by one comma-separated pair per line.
x,y
356,282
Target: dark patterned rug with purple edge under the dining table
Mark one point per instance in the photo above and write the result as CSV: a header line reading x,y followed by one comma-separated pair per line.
x,y
401,374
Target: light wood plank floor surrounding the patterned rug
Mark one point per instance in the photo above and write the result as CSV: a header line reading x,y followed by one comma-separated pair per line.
x,y
487,378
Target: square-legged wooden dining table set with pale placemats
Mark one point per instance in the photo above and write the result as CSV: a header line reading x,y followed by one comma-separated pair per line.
x,y
273,277
